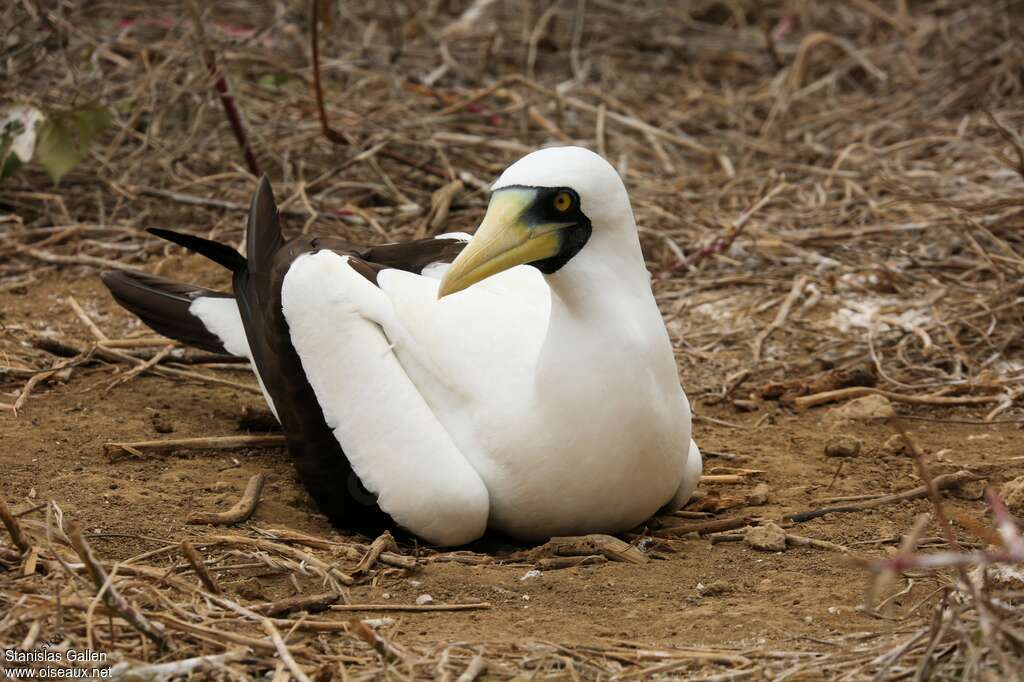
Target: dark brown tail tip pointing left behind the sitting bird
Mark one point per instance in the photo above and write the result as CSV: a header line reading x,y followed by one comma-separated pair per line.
x,y
163,306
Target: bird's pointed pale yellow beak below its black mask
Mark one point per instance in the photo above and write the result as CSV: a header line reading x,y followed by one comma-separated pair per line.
x,y
504,240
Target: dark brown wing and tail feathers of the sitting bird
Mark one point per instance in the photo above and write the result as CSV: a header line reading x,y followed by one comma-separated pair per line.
x,y
163,305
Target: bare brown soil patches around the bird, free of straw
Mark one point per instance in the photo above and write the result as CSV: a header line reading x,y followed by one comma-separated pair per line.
x,y
804,599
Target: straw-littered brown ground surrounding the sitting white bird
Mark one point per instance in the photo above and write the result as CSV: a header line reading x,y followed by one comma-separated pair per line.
x,y
832,206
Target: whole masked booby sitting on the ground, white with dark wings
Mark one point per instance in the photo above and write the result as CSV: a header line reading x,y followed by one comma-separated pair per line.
x,y
521,380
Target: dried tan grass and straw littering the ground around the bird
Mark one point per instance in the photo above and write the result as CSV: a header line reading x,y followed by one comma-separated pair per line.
x,y
848,174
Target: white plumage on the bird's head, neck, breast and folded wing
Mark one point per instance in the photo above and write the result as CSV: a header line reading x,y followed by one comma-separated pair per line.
x,y
536,405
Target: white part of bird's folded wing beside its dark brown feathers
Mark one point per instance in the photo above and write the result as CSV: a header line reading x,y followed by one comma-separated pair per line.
x,y
391,436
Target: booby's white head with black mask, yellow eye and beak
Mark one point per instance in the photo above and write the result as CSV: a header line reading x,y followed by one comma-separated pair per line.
x,y
543,211
